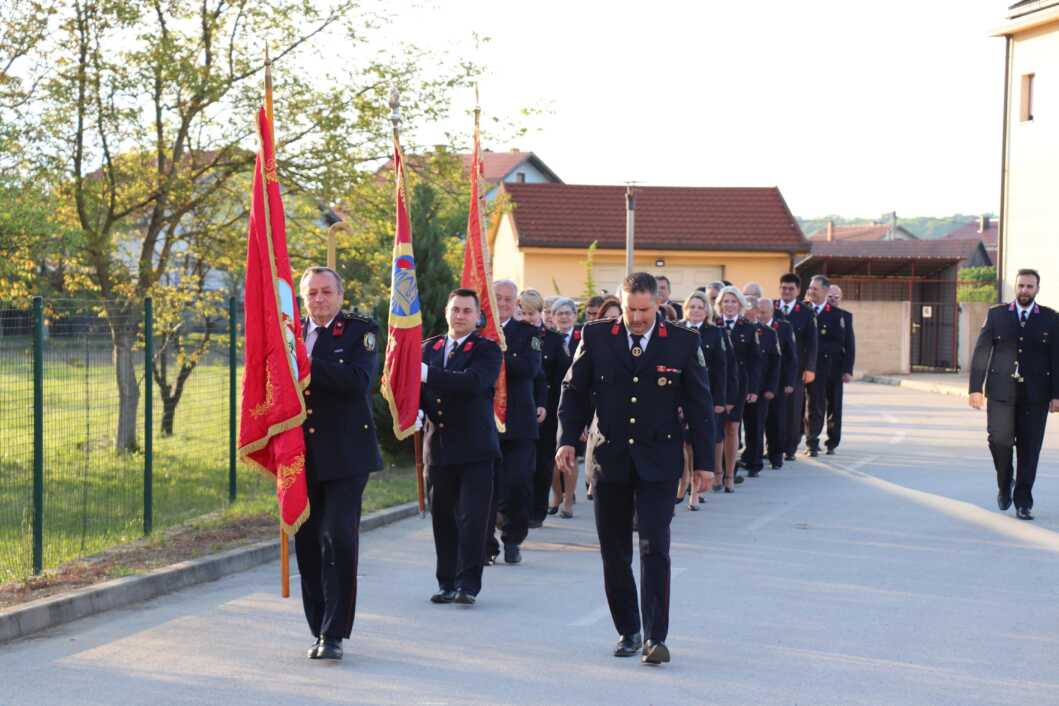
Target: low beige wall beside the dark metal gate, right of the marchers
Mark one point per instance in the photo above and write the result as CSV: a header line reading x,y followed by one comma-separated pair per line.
x,y
884,337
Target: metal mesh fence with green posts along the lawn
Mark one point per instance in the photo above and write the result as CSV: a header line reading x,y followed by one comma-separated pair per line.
x,y
104,480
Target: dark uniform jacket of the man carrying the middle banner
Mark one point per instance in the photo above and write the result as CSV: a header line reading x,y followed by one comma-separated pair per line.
x,y
458,401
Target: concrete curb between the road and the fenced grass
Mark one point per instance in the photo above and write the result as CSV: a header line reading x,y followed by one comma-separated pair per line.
x,y
55,611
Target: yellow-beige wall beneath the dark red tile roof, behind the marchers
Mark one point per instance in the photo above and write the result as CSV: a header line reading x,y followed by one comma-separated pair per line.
x,y
549,269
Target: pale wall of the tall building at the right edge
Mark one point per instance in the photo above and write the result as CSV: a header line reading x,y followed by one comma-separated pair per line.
x,y
1031,228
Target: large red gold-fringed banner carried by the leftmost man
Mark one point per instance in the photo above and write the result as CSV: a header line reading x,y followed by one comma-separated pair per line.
x,y
277,365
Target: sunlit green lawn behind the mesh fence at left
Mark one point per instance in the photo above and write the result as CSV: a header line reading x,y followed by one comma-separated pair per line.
x,y
94,496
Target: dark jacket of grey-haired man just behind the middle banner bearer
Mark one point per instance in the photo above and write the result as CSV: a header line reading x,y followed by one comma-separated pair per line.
x,y
523,367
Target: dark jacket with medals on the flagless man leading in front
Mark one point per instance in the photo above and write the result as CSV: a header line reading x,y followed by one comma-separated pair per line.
x,y
637,427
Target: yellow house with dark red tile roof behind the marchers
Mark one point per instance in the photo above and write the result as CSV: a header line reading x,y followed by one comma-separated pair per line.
x,y
693,236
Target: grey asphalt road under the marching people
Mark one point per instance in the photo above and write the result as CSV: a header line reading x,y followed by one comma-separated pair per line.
x,y
884,575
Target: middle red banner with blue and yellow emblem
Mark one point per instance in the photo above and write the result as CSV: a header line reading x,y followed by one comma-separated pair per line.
x,y
401,372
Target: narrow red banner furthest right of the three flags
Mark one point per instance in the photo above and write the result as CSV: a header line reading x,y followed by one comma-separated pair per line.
x,y
478,276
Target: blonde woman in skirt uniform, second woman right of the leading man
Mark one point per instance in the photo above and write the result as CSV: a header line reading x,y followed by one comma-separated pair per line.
x,y
731,305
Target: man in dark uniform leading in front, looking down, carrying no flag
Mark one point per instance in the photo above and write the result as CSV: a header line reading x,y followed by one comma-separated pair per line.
x,y
633,378
